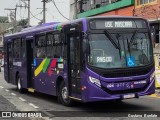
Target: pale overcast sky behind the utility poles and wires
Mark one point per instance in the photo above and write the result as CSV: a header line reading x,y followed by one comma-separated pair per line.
x,y
52,14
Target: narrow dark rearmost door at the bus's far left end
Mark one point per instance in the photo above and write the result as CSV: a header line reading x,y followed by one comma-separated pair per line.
x,y
10,61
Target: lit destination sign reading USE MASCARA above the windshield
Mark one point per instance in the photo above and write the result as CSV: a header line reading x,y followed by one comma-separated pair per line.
x,y
104,24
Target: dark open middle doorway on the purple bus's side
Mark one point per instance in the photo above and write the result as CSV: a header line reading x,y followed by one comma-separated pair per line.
x,y
30,66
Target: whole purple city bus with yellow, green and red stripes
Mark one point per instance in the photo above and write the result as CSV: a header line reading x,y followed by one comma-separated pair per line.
x,y
89,59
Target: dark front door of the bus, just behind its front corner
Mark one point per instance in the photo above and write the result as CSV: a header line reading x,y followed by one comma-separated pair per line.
x,y
74,84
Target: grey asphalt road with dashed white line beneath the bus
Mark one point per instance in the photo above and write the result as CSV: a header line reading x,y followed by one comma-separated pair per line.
x,y
12,100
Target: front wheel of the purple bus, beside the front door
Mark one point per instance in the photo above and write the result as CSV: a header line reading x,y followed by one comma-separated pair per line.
x,y
63,95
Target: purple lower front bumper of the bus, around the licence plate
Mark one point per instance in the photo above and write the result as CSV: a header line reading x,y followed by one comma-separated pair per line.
x,y
96,93
